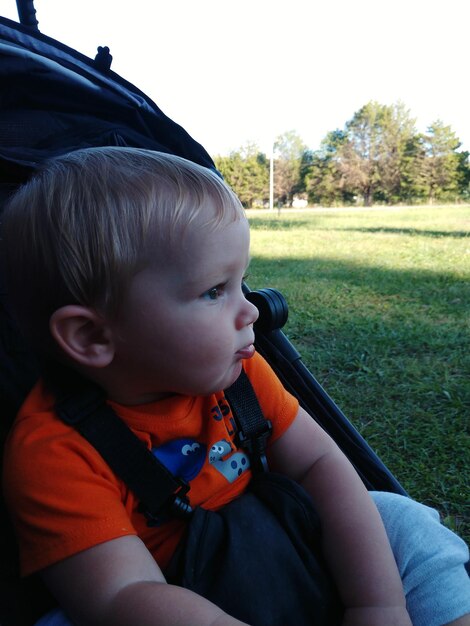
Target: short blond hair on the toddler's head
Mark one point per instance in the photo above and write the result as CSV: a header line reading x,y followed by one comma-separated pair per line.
x,y
79,230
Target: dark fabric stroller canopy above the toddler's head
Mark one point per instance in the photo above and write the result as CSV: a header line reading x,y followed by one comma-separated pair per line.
x,y
55,100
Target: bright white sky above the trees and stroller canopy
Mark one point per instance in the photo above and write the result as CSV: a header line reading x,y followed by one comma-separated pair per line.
x,y
232,72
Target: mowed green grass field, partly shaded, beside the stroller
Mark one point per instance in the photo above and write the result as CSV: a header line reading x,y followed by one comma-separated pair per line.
x,y
379,306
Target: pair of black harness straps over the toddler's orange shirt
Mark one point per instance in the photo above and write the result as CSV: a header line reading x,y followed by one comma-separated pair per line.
x,y
82,404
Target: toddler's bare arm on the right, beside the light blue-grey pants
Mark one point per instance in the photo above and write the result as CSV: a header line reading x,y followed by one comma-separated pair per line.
x,y
354,539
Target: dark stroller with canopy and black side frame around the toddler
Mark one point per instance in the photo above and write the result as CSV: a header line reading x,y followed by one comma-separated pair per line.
x,y
55,100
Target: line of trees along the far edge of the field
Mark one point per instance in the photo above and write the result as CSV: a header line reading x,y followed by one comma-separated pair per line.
x,y
379,157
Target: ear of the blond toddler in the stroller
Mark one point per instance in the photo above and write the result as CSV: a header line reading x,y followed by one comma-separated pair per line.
x,y
82,335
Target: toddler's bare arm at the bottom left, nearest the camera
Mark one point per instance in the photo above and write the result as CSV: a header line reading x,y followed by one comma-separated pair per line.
x,y
118,583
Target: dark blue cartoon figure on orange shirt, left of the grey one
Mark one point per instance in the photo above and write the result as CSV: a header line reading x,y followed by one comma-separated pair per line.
x,y
183,457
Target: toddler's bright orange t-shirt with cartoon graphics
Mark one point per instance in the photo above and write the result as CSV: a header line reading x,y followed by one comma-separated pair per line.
x,y
64,498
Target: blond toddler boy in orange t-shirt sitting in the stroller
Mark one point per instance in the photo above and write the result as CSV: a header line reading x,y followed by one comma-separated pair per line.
x,y
127,266
